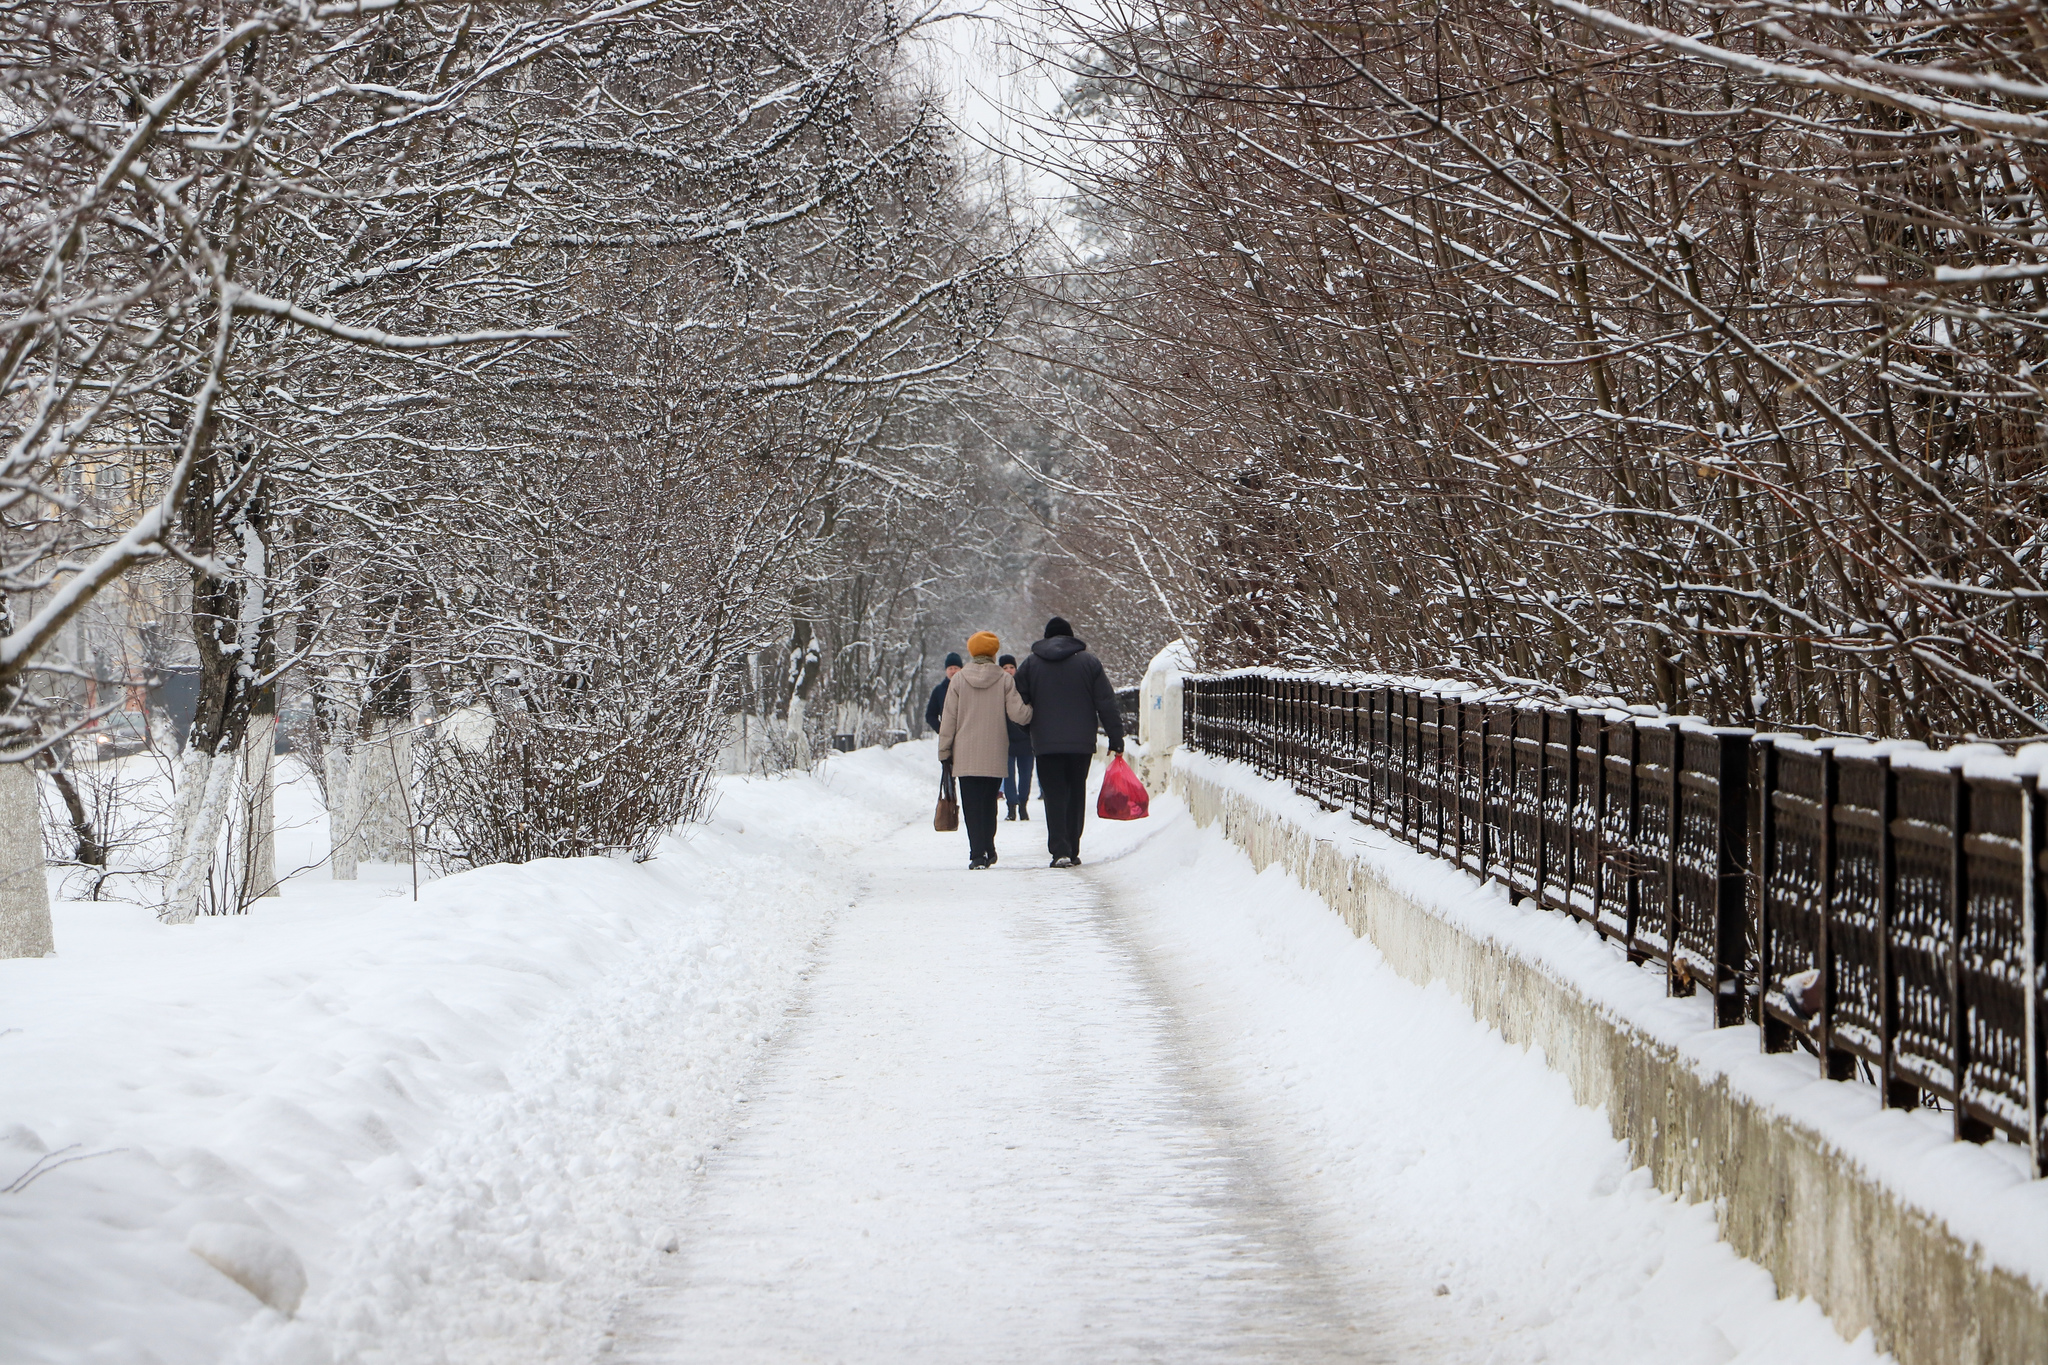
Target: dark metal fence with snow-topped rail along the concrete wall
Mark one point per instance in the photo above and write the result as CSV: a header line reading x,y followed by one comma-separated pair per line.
x,y
1885,918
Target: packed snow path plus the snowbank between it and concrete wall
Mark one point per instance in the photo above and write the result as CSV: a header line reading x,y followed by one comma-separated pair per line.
x,y
1168,1110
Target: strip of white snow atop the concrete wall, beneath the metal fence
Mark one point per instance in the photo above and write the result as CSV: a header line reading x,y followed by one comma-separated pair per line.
x,y
1983,1194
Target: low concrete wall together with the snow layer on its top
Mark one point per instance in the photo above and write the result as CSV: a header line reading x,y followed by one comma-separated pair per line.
x,y
1938,1247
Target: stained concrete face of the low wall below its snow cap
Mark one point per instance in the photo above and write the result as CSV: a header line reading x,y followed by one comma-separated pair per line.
x,y
1785,1200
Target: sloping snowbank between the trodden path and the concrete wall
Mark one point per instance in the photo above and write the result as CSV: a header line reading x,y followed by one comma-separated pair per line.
x,y
1484,1213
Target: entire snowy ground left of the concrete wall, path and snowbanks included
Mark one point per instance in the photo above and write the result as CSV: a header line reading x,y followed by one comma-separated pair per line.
x,y
804,1088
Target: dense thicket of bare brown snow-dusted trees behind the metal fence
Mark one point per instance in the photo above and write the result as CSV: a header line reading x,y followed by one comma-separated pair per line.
x,y
1668,351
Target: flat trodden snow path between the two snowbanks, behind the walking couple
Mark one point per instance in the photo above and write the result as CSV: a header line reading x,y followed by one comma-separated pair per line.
x,y
984,1143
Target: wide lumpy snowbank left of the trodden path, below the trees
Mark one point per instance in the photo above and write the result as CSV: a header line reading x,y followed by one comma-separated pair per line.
x,y
355,1127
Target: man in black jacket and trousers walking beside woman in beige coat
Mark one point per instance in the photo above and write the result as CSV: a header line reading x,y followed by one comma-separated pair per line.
x,y
1070,695
